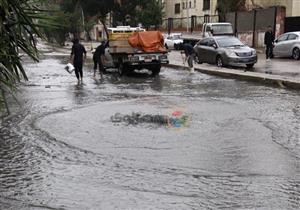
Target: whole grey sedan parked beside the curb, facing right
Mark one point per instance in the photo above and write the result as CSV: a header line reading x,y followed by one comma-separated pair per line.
x,y
225,50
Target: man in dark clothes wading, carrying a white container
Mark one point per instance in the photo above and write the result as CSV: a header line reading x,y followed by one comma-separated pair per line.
x,y
77,58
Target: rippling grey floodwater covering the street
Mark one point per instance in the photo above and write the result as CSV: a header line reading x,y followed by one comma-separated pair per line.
x,y
238,147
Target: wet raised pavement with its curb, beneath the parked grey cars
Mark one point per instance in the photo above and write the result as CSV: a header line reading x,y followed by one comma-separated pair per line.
x,y
280,72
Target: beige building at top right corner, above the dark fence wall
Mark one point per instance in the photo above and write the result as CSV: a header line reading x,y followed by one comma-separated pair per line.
x,y
292,6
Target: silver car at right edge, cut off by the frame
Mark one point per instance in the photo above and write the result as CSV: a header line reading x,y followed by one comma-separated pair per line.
x,y
288,45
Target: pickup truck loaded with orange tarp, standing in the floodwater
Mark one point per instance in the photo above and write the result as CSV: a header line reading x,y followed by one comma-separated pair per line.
x,y
126,57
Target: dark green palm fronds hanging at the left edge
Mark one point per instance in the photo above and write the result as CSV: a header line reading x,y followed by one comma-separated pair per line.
x,y
18,28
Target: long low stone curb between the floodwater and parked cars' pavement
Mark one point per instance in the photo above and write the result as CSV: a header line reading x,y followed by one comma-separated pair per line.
x,y
268,79
